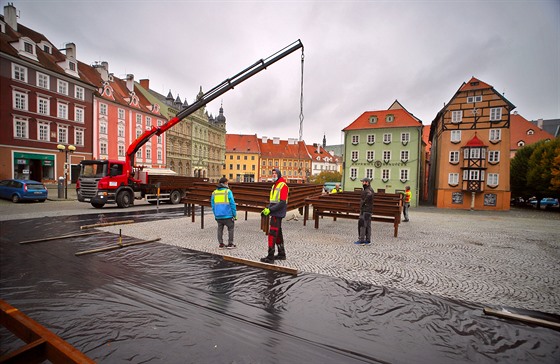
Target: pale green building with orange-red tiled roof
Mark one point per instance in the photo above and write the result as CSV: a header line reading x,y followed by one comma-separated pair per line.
x,y
385,146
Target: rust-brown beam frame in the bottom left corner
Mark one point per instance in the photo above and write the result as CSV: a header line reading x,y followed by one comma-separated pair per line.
x,y
29,331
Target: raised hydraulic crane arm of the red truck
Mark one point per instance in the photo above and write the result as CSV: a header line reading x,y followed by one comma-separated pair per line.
x,y
217,91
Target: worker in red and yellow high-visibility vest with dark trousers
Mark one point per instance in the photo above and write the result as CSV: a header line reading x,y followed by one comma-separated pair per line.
x,y
277,210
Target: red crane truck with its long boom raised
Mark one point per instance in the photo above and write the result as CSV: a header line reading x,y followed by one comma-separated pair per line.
x,y
114,181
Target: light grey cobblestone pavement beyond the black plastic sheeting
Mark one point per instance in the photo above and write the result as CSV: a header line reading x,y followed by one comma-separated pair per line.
x,y
509,258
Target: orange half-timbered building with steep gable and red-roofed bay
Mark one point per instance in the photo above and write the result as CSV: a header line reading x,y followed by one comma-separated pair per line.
x,y
470,149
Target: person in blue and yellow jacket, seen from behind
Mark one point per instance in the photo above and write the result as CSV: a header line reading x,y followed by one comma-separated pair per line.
x,y
225,212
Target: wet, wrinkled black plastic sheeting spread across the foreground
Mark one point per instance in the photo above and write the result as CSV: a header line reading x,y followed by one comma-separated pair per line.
x,y
158,303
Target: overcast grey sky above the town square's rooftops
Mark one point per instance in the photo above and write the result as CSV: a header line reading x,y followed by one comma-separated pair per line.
x,y
359,55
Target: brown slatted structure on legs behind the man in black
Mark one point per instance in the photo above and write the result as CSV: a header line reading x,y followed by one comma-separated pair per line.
x,y
387,207
